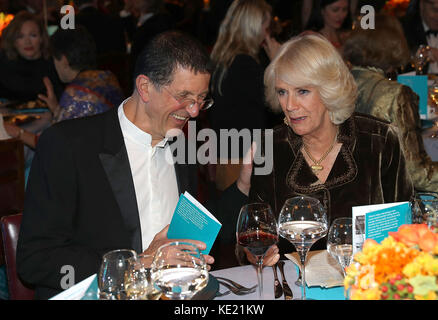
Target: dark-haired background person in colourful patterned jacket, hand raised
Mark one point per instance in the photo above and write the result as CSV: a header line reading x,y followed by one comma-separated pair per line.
x,y
88,91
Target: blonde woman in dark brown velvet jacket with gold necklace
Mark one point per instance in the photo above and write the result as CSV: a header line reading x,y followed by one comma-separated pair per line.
x,y
324,149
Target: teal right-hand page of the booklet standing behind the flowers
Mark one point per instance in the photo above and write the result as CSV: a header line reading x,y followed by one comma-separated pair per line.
x,y
378,223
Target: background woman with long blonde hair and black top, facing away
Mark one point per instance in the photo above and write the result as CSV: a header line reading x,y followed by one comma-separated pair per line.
x,y
237,81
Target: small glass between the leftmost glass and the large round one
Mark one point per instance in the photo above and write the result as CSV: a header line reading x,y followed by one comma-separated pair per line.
x,y
138,281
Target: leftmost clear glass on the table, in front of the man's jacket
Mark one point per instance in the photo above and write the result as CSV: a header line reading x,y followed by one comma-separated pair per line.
x,y
112,274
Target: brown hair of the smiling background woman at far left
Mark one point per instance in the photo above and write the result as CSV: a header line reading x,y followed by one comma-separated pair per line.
x,y
12,31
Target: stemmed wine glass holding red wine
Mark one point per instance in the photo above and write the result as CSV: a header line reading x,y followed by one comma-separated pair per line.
x,y
257,231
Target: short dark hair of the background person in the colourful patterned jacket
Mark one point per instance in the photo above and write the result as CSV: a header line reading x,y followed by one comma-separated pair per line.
x,y
77,45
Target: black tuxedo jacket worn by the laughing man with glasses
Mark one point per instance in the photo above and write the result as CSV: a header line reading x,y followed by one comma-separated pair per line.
x,y
80,202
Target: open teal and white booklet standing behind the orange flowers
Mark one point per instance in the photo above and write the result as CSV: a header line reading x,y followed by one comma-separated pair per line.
x,y
376,221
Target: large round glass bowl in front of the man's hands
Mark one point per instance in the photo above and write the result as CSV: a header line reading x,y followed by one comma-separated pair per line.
x,y
179,270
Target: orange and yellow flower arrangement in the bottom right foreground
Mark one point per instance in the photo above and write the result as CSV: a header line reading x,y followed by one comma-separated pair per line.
x,y
403,266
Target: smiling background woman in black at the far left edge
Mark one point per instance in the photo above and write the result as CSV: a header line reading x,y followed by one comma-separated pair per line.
x,y
25,59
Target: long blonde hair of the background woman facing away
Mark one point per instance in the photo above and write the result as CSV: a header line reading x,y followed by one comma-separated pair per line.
x,y
239,33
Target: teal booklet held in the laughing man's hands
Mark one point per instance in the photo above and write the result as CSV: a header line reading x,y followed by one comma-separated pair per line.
x,y
191,220
